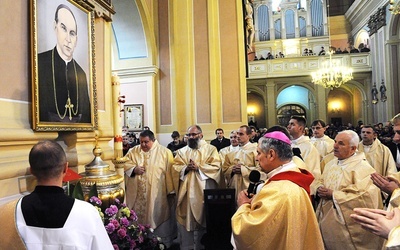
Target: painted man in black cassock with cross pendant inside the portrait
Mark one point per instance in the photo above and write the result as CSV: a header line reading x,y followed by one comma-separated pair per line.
x,y
63,88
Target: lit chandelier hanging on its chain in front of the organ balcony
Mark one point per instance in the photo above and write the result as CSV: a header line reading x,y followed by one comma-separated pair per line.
x,y
332,74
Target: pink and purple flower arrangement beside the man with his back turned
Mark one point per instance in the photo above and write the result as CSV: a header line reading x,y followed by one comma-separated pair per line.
x,y
122,226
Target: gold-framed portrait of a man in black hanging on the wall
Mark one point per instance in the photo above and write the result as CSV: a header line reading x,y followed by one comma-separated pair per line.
x,y
63,79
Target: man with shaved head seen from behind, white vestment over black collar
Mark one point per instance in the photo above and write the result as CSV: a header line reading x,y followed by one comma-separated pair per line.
x,y
47,218
